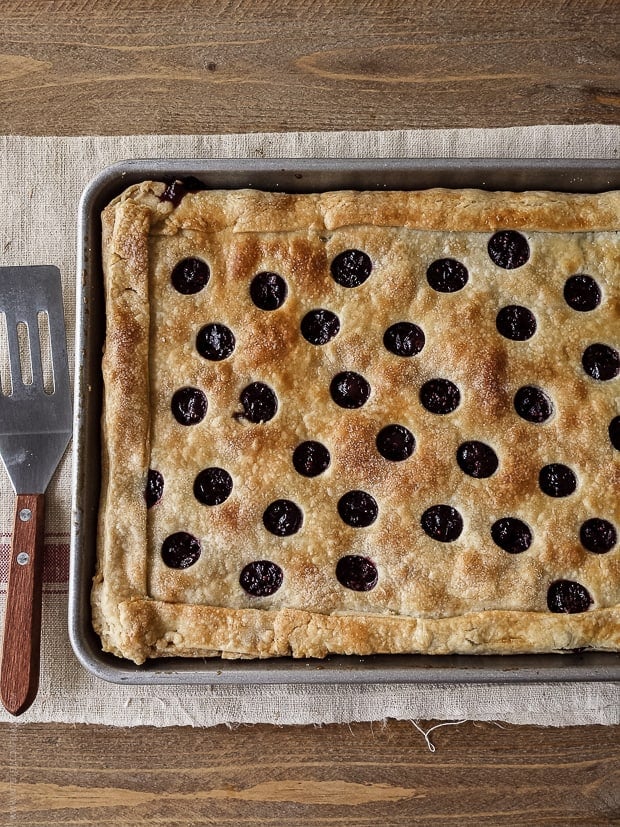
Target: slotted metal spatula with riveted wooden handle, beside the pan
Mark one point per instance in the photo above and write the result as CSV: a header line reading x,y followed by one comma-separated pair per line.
x,y
35,428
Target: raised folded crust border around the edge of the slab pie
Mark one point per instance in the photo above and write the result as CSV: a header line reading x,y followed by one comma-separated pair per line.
x,y
134,626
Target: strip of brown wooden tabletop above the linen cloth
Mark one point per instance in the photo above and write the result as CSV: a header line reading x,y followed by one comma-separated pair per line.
x,y
202,67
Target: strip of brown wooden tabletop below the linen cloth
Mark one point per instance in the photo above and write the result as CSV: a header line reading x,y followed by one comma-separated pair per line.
x,y
360,775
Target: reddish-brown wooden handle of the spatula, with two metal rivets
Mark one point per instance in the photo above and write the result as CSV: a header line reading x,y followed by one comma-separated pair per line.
x,y
19,673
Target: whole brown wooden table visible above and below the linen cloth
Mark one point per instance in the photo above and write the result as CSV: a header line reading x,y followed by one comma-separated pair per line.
x,y
122,67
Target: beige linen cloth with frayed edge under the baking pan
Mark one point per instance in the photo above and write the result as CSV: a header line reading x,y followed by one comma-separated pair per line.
x,y
41,180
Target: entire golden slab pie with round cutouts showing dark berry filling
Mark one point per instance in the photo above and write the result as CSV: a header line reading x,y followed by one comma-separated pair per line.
x,y
359,422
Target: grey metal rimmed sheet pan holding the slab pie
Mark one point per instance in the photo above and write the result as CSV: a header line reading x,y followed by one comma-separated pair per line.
x,y
287,175
